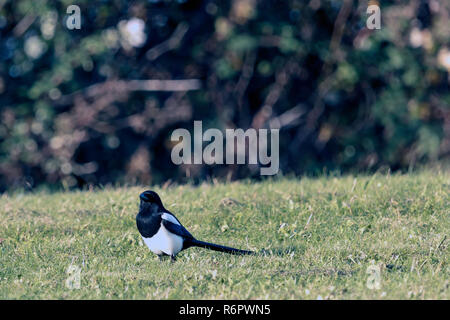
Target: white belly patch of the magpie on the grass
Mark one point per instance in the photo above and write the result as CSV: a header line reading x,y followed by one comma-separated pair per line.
x,y
164,242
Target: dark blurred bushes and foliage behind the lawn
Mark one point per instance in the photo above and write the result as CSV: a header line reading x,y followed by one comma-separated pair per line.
x,y
93,106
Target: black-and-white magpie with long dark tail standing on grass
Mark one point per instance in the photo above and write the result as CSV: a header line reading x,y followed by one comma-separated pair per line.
x,y
164,234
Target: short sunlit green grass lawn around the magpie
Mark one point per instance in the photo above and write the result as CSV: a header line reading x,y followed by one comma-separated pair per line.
x,y
321,237
